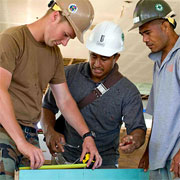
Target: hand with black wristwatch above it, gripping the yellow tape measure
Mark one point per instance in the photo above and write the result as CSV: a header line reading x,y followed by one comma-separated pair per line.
x,y
90,147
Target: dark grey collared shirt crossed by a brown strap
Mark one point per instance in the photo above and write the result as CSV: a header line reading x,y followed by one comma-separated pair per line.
x,y
104,115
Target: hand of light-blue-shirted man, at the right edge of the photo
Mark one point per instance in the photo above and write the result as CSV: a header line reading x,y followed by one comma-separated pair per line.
x,y
175,166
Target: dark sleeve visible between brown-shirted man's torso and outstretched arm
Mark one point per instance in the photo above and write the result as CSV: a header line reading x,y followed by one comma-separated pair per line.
x,y
49,102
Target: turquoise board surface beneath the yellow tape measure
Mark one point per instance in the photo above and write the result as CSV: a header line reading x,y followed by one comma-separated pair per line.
x,y
84,174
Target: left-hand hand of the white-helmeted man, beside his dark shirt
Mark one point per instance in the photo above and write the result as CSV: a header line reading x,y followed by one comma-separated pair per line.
x,y
55,141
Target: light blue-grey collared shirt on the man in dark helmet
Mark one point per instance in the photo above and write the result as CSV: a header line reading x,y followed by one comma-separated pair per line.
x,y
164,106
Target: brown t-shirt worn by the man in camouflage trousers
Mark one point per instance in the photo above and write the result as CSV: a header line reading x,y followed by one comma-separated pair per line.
x,y
33,65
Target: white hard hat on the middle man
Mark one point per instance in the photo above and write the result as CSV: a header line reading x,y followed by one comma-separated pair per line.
x,y
106,39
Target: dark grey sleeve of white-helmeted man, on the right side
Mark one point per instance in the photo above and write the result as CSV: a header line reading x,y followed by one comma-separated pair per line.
x,y
133,112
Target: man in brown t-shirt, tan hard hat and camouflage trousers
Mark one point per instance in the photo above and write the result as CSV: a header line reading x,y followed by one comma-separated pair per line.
x,y
29,60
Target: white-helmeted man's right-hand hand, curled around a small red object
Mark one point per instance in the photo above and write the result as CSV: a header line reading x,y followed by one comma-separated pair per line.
x,y
127,144
